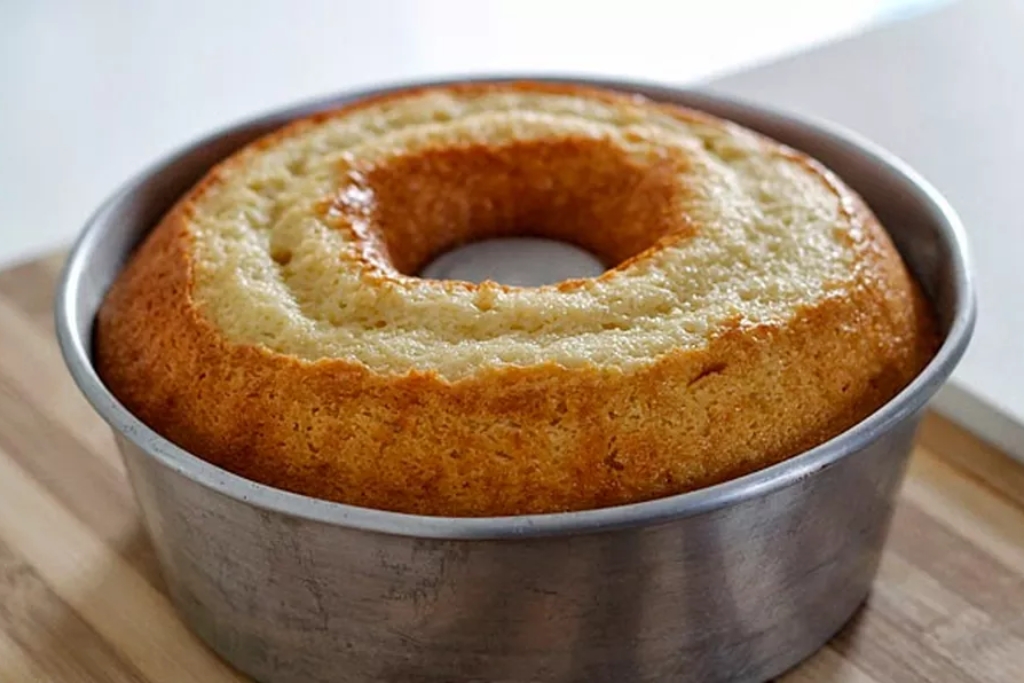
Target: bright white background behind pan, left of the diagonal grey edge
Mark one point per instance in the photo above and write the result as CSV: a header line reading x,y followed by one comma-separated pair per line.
x,y
93,92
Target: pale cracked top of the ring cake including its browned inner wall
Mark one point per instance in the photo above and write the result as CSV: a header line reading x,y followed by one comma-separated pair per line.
x,y
308,243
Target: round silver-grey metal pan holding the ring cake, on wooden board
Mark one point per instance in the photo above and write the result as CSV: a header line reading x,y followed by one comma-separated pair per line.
x,y
738,582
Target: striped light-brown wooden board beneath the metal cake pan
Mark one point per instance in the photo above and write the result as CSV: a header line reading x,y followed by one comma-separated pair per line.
x,y
81,599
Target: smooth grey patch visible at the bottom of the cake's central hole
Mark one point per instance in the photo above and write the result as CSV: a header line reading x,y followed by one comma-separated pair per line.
x,y
516,263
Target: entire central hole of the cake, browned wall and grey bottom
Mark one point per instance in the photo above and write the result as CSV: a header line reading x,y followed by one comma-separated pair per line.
x,y
521,214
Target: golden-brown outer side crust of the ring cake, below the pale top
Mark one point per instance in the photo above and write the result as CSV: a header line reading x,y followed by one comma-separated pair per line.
x,y
509,440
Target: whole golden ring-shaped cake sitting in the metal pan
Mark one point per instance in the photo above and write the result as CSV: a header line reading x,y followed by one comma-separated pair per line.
x,y
274,322
